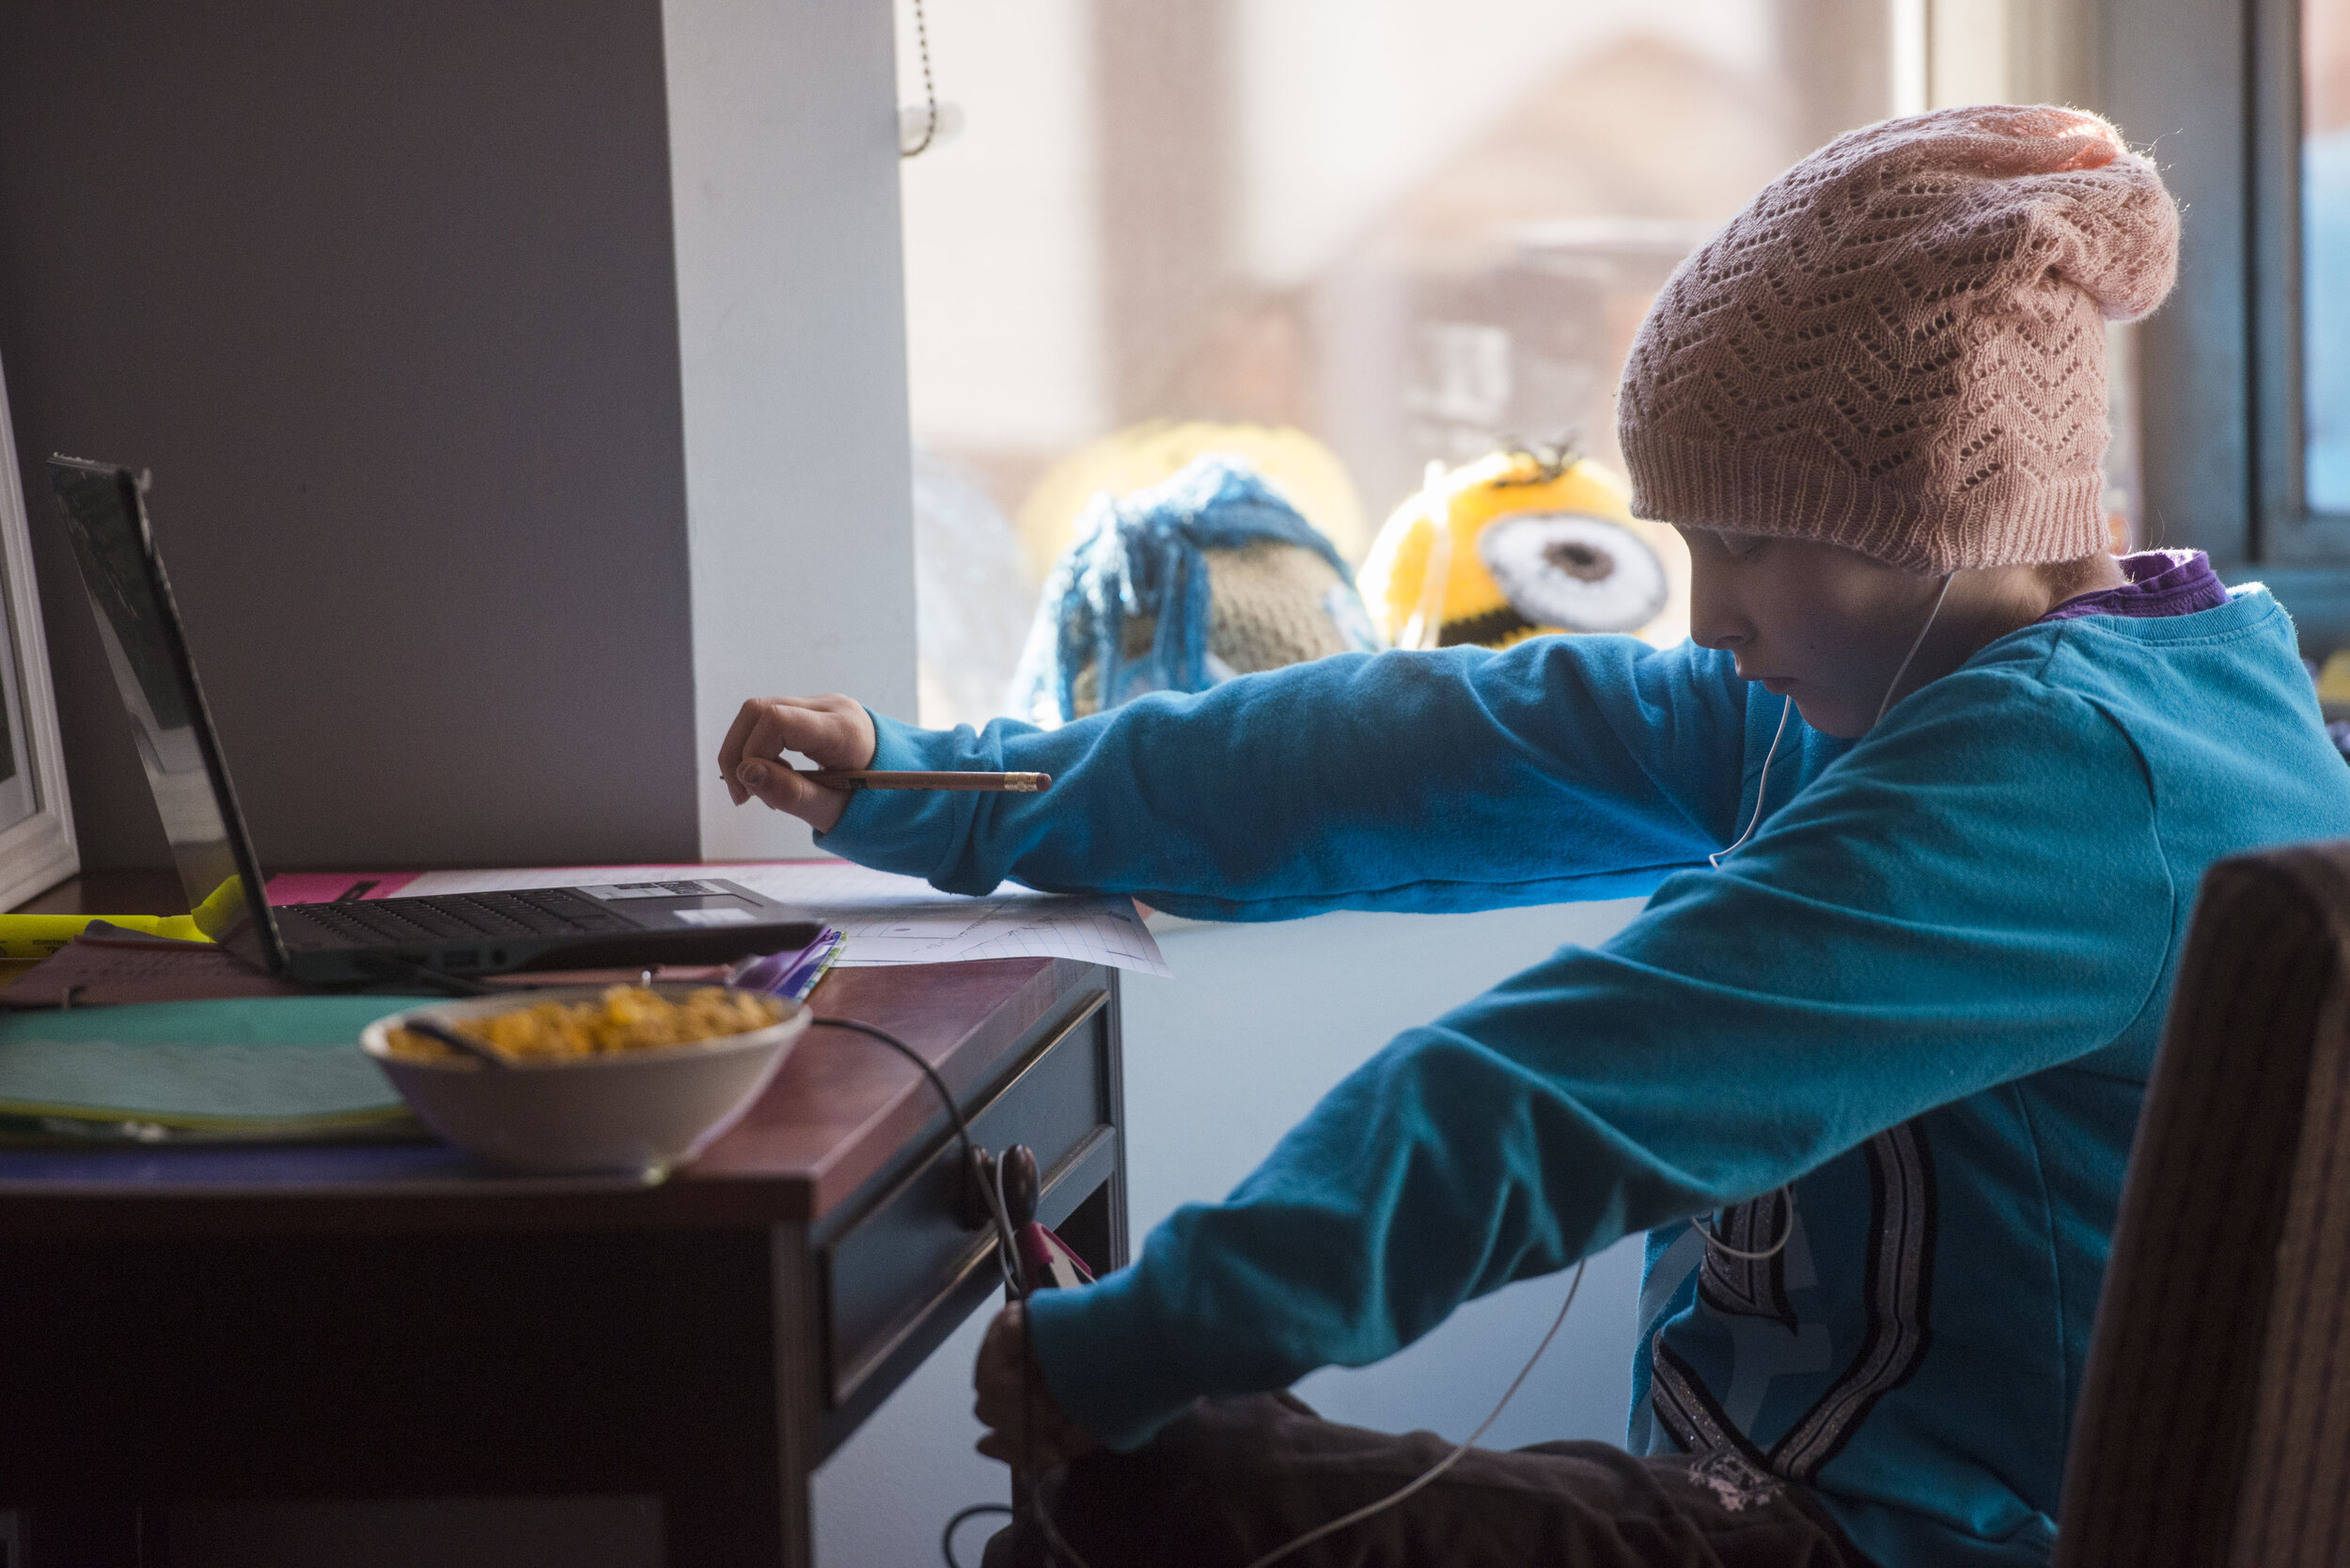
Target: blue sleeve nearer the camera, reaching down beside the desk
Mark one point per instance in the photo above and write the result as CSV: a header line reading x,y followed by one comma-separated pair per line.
x,y
1961,902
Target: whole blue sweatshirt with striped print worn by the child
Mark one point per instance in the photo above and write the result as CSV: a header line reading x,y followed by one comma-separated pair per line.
x,y
1907,1026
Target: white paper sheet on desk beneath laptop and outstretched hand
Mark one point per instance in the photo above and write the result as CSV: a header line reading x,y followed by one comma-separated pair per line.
x,y
887,918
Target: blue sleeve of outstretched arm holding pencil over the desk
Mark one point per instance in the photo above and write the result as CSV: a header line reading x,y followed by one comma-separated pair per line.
x,y
1566,768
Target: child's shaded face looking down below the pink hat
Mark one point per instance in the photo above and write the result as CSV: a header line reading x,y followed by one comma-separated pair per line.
x,y
1811,622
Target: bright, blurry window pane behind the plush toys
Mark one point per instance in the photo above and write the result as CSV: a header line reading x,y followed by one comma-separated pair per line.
x,y
1345,236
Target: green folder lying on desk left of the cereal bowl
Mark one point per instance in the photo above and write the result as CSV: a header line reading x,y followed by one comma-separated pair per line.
x,y
246,1071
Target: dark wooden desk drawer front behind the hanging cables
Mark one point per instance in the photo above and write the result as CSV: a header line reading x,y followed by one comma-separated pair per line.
x,y
906,1259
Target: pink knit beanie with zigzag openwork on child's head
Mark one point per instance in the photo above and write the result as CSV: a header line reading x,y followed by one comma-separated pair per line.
x,y
1900,349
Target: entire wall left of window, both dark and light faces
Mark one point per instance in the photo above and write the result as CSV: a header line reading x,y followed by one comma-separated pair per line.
x,y
389,300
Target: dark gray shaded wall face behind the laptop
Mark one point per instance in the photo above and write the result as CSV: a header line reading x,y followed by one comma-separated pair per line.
x,y
384,297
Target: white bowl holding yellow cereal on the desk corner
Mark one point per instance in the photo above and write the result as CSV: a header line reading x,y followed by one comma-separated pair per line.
x,y
633,1111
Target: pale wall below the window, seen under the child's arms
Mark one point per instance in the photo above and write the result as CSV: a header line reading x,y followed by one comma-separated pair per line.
x,y
1256,1026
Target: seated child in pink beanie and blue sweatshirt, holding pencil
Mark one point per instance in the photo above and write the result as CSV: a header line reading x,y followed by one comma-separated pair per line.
x,y
1923,808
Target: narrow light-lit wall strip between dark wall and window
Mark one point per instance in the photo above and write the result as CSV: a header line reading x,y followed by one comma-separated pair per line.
x,y
791,344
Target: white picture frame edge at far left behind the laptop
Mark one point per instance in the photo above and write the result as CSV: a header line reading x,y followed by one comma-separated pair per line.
x,y
36,815
